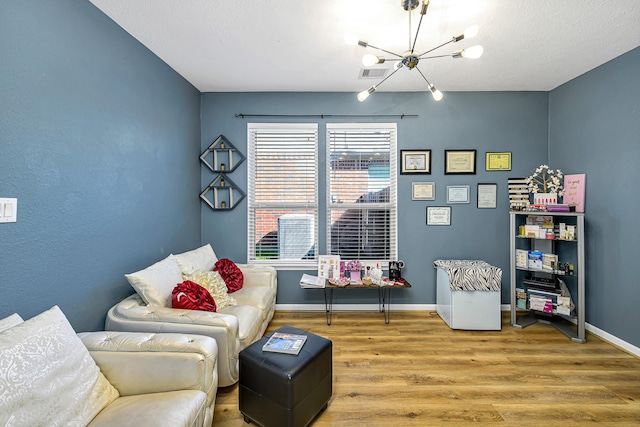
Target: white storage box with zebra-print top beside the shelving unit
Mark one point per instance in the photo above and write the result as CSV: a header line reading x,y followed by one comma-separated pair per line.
x,y
468,294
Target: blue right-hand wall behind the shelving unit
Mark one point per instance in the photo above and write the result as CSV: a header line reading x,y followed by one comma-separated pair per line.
x,y
595,129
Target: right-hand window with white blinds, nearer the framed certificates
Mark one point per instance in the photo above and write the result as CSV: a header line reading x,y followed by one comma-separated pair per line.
x,y
361,191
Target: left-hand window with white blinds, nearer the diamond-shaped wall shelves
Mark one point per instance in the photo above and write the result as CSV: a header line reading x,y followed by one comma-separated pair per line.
x,y
283,192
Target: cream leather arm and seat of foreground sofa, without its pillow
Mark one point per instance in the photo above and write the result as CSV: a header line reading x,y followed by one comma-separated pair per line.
x,y
154,371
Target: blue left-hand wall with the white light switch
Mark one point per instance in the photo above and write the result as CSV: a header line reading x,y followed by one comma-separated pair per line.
x,y
99,141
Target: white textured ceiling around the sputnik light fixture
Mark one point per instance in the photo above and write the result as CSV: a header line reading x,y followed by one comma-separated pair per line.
x,y
298,45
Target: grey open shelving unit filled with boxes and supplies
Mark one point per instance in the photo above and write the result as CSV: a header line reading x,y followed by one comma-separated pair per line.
x,y
541,291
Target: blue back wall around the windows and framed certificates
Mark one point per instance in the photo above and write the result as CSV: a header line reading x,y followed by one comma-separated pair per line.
x,y
516,122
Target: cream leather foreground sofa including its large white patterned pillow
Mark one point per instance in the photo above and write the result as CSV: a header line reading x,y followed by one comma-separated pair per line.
x,y
51,376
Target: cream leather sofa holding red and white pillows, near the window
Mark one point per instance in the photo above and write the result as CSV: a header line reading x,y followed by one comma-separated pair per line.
x,y
233,327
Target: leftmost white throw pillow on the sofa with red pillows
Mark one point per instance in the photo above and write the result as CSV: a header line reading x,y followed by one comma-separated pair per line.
x,y
155,283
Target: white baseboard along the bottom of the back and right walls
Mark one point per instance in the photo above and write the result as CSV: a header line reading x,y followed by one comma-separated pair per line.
x,y
432,307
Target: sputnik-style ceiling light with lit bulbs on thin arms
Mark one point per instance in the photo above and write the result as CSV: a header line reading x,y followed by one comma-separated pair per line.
x,y
409,59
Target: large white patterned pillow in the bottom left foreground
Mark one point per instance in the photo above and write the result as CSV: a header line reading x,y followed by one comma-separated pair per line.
x,y
48,376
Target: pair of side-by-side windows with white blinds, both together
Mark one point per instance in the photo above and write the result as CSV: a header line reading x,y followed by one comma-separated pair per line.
x,y
283,201
